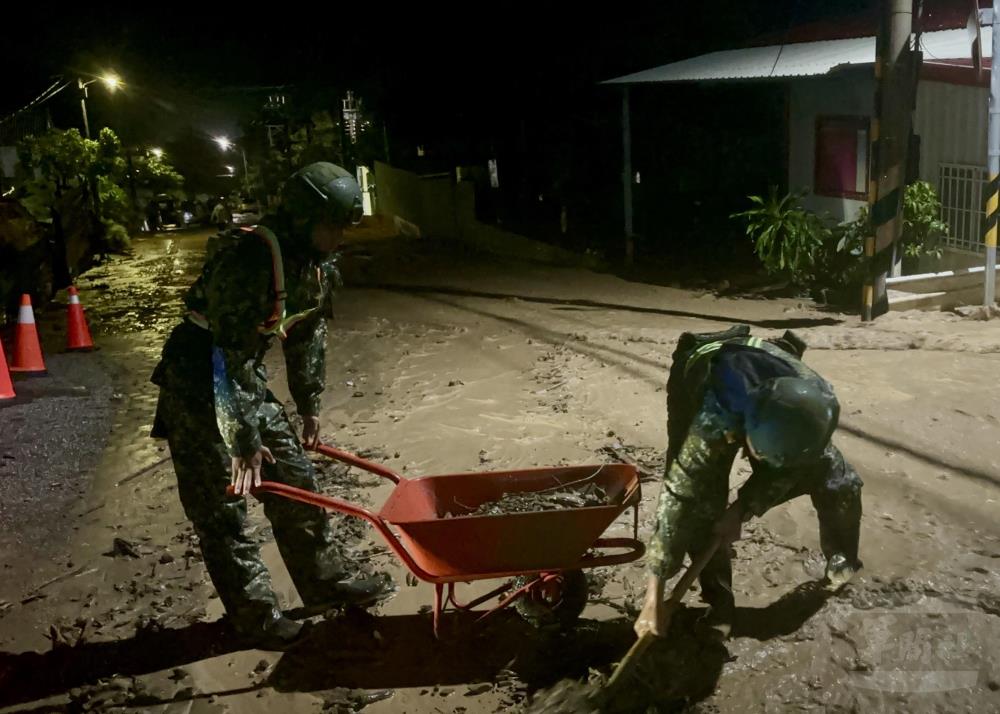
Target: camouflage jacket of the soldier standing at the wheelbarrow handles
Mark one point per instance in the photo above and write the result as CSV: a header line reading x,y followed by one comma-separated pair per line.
x,y
234,297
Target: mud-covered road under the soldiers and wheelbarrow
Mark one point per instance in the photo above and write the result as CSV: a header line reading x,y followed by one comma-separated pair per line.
x,y
440,362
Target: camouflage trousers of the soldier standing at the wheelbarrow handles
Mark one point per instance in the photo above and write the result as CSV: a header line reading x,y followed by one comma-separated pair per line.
x,y
232,558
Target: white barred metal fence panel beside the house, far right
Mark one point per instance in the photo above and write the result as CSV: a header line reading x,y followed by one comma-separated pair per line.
x,y
961,189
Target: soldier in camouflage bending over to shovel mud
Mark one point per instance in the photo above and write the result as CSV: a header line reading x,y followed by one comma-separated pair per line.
x,y
728,391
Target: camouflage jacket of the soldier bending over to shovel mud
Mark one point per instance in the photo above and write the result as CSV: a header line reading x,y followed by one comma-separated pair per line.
x,y
715,435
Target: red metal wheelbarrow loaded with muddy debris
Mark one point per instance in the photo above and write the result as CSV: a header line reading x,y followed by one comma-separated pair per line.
x,y
544,551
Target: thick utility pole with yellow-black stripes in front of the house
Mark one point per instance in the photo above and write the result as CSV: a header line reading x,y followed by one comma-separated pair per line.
x,y
896,67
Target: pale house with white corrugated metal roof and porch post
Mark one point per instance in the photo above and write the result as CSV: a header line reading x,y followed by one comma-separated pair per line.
x,y
828,71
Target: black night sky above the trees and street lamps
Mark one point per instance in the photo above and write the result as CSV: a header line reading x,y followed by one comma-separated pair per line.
x,y
186,66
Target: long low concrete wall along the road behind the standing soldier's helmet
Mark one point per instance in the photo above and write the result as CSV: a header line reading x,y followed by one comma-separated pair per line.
x,y
441,207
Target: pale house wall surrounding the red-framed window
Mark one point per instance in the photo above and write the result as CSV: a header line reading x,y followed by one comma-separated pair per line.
x,y
849,93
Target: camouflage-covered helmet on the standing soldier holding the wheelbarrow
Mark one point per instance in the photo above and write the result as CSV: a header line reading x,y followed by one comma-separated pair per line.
x,y
323,191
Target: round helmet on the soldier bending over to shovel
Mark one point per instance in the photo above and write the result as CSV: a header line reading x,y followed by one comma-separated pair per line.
x,y
790,421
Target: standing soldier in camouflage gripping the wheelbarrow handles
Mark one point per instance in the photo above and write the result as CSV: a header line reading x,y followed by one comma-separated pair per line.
x,y
225,426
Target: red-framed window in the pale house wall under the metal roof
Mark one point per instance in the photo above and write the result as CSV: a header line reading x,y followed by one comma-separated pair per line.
x,y
842,157
